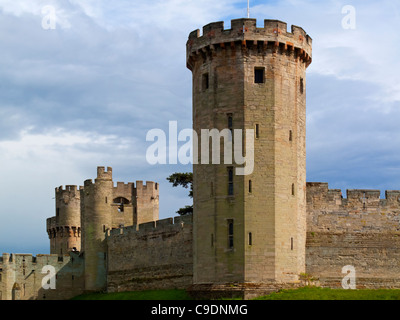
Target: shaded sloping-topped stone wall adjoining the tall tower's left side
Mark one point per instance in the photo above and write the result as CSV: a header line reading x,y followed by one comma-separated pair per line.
x,y
155,255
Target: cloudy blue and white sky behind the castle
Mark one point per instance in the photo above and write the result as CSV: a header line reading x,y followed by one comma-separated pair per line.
x,y
85,93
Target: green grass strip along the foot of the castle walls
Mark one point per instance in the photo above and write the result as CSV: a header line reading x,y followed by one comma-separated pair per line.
x,y
307,293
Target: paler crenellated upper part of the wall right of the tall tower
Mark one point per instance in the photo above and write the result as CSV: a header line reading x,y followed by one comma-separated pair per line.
x,y
362,211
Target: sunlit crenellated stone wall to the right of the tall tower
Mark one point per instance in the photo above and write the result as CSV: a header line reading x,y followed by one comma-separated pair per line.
x,y
361,230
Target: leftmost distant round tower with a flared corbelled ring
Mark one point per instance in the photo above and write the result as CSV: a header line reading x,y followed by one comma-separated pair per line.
x,y
64,229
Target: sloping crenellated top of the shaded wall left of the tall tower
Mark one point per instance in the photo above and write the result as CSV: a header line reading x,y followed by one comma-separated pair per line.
x,y
153,226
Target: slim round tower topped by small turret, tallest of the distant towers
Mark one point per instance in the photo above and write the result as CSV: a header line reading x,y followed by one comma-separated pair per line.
x,y
96,219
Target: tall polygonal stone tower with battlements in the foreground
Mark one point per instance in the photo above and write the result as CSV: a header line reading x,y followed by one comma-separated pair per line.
x,y
250,229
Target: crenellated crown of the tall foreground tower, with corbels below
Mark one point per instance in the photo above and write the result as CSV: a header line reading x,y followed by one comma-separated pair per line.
x,y
245,33
